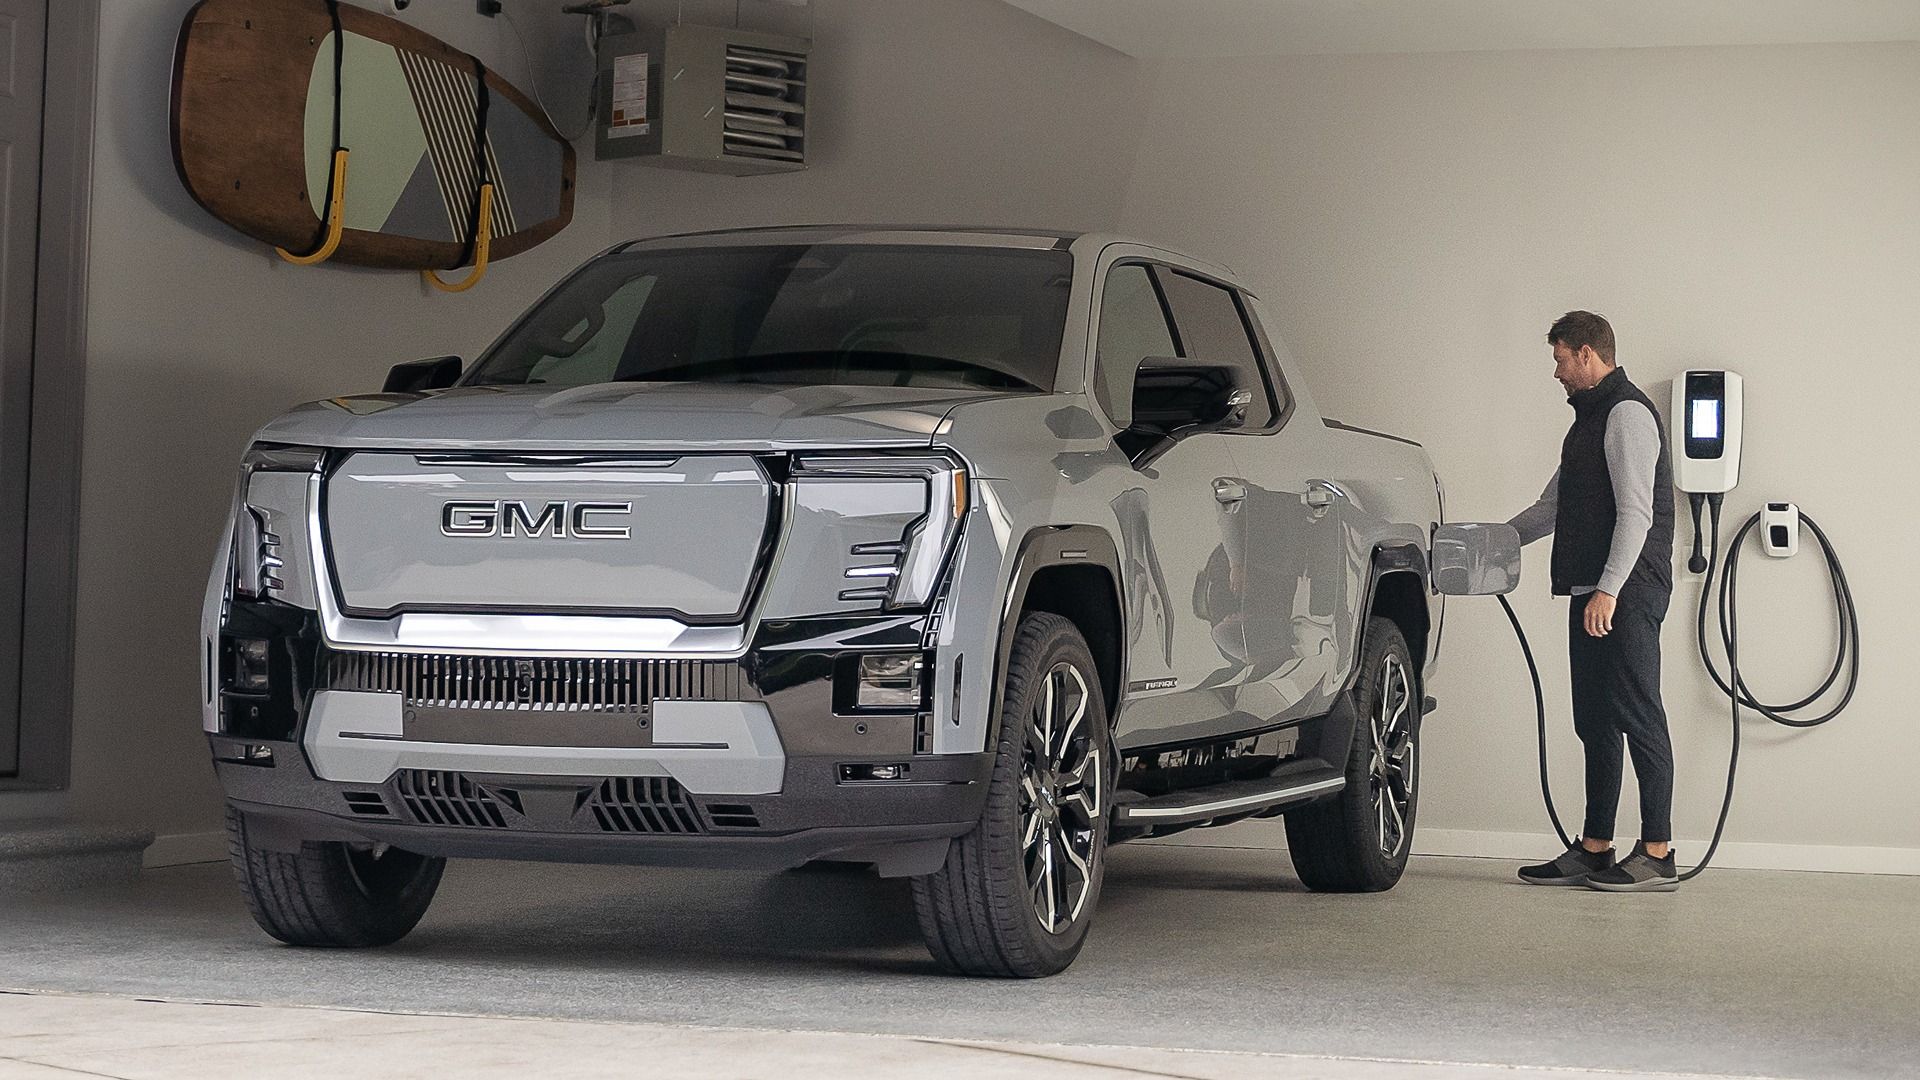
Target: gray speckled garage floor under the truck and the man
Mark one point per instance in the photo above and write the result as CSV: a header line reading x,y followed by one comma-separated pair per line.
x,y
1197,948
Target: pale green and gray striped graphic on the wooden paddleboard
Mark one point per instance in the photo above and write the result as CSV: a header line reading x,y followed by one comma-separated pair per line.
x,y
410,126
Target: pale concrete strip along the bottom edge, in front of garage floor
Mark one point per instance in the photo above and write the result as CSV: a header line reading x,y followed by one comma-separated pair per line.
x,y
51,1037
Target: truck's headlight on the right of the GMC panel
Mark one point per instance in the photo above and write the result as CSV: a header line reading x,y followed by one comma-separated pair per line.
x,y
903,570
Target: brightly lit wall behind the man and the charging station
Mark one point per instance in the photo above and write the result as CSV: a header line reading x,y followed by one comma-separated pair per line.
x,y
1420,220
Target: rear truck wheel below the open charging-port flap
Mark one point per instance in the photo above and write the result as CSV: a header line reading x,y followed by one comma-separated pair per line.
x,y
1360,839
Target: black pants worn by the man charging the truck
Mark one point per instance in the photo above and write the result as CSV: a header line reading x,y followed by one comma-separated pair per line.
x,y
1618,699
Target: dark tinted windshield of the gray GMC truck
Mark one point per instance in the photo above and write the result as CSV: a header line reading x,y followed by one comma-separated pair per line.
x,y
825,314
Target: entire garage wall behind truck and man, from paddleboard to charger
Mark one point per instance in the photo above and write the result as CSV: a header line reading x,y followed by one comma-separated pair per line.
x,y
1414,220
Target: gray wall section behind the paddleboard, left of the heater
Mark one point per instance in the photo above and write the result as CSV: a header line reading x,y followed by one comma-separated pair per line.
x,y
195,337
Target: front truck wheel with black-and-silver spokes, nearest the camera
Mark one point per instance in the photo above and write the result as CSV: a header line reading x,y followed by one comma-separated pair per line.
x,y
1019,893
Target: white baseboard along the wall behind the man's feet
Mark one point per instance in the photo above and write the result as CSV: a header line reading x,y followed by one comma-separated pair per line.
x,y
1533,847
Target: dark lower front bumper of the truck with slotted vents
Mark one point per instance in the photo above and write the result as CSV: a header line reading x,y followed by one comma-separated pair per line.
x,y
900,827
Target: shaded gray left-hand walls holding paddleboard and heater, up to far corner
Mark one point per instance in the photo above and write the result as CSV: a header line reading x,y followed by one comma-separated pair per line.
x,y
924,110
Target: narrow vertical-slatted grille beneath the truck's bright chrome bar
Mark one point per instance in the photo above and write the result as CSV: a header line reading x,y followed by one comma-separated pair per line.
x,y
537,683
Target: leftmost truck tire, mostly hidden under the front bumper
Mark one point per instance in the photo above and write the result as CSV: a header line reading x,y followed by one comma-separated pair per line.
x,y
333,895
